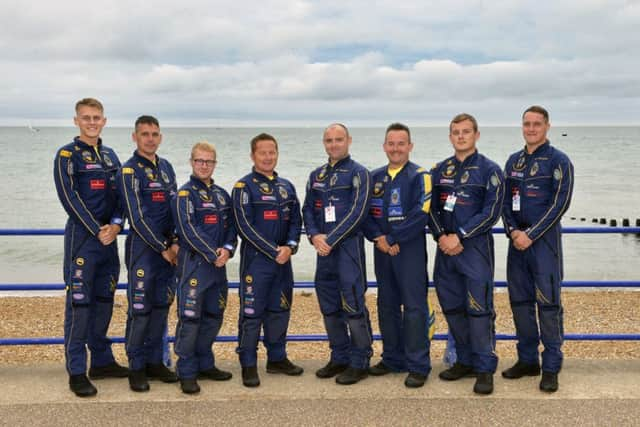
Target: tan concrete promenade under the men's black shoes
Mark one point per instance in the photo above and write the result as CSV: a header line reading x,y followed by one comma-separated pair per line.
x,y
592,392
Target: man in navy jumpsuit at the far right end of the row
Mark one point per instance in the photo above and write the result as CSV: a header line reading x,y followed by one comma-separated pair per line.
x,y
539,186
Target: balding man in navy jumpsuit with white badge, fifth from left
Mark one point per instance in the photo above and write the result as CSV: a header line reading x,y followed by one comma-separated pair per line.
x,y
335,207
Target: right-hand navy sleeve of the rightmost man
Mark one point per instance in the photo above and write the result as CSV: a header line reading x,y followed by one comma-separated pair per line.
x,y
560,199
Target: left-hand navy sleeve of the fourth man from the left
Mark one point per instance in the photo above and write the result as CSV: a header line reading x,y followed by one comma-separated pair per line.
x,y
243,215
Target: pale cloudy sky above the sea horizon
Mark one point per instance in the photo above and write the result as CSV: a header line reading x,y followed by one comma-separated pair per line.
x,y
310,62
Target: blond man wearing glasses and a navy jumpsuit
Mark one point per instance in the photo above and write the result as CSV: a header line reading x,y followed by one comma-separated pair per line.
x,y
204,223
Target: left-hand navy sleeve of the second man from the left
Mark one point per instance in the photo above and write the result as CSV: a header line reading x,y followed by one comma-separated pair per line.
x,y
130,196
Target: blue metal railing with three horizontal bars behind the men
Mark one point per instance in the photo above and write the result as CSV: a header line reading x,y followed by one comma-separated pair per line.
x,y
310,285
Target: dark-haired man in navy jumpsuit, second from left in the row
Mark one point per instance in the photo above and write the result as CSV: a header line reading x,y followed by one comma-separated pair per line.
x,y
147,186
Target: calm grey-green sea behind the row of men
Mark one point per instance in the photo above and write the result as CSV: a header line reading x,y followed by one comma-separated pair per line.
x,y
606,166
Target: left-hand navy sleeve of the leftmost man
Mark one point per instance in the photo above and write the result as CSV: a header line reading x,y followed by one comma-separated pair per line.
x,y
68,193
